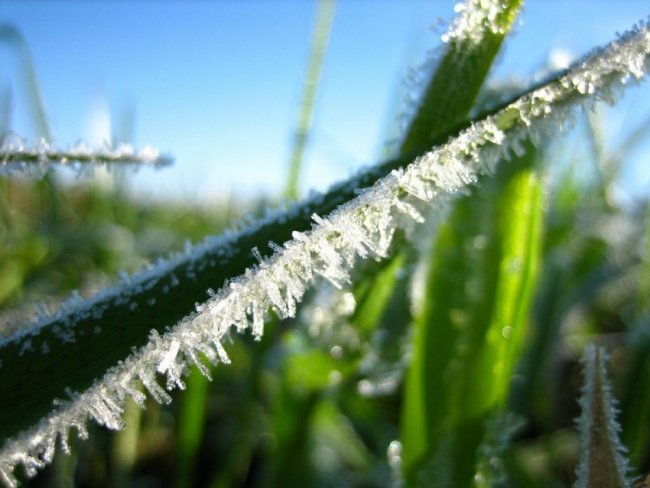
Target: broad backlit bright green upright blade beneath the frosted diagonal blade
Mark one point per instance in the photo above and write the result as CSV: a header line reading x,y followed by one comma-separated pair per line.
x,y
468,334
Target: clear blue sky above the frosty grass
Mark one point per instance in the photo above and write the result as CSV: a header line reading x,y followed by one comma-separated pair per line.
x,y
218,84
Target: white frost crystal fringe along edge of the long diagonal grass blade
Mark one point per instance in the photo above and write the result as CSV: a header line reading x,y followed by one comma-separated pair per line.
x,y
362,227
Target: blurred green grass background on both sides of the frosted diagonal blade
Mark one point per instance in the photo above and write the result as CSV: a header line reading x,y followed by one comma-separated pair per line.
x,y
455,363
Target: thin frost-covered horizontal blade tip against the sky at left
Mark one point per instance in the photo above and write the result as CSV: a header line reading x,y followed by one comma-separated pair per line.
x,y
17,156
